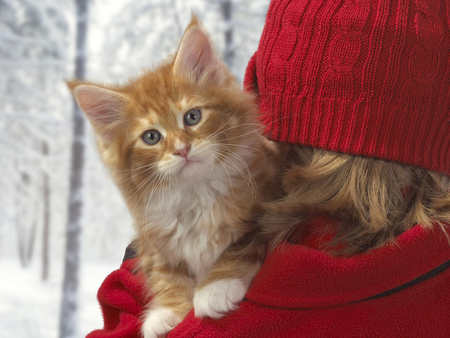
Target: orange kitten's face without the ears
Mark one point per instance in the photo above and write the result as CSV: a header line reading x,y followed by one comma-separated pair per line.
x,y
186,131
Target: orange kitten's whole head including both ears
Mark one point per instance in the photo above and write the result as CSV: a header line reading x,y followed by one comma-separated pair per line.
x,y
181,120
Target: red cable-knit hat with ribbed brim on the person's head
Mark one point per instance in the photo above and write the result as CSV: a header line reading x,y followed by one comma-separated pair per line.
x,y
362,77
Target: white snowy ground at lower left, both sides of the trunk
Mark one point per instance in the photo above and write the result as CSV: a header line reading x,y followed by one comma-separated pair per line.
x,y
29,308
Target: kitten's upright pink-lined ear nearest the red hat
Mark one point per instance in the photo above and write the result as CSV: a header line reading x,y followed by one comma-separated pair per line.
x,y
197,58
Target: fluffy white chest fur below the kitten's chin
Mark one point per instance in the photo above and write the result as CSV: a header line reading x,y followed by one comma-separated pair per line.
x,y
192,218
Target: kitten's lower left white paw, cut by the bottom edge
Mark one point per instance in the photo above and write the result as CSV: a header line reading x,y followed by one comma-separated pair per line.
x,y
158,322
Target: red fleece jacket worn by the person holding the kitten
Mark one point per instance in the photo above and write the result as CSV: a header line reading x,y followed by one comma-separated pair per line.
x,y
399,290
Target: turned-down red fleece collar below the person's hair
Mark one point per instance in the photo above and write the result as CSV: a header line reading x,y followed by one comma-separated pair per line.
x,y
297,276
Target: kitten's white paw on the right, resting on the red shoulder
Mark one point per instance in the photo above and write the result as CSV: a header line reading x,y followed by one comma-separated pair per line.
x,y
216,299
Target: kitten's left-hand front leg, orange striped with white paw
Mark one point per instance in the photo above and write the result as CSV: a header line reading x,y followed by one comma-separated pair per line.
x,y
171,289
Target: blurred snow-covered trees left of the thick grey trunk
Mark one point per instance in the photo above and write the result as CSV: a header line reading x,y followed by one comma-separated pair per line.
x,y
33,62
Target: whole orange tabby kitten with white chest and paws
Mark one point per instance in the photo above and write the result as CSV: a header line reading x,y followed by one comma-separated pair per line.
x,y
184,145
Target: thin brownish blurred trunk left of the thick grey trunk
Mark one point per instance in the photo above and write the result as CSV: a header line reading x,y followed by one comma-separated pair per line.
x,y
46,225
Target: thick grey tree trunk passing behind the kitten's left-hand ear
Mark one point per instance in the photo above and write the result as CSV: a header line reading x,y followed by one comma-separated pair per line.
x,y
69,307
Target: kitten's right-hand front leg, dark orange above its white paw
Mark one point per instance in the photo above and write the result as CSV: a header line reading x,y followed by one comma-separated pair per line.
x,y
229,278
